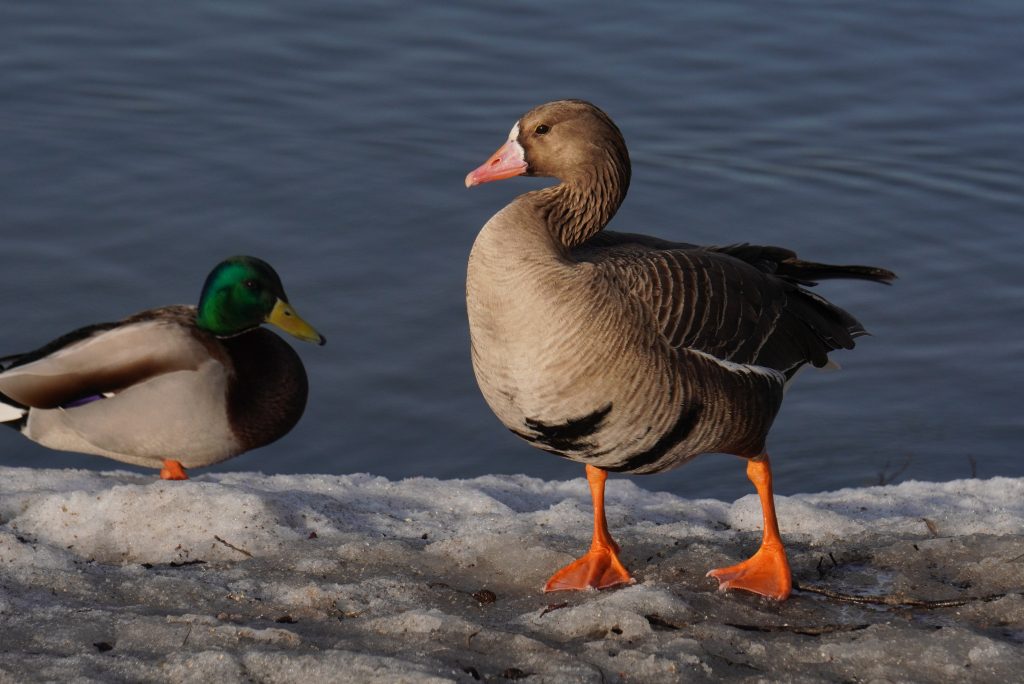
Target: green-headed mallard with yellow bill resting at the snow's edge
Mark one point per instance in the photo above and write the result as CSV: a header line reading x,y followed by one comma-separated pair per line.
x,y
174,388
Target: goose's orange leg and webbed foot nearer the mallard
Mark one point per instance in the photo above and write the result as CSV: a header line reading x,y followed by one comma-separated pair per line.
x,y
601,568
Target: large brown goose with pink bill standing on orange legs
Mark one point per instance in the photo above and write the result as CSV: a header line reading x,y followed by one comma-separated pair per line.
x,y
631,354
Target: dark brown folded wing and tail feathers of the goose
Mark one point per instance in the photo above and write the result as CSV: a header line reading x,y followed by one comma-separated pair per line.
x,y
742,304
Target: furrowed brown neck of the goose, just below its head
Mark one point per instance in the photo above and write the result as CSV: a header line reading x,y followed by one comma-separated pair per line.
x,y
580,207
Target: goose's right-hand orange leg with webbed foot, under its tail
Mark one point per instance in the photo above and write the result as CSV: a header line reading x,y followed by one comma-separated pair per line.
x,y
767,572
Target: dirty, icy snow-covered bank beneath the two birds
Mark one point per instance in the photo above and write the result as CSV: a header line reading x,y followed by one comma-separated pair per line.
x,y
118,577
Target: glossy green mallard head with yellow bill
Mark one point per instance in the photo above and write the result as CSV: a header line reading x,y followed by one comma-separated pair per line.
x,y
243,293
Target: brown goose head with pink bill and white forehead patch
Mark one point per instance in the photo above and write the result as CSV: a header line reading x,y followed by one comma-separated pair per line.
x,y
569,140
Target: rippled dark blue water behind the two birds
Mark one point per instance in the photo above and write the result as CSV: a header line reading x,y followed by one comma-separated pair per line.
x,y
142,143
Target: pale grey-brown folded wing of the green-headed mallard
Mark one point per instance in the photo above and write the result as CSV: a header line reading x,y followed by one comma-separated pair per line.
x,y
101,360
